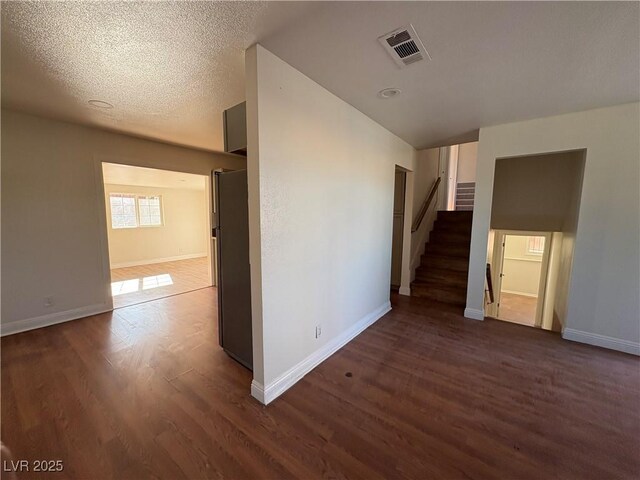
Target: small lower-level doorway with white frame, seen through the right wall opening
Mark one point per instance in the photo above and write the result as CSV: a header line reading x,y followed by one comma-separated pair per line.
x,y
523,259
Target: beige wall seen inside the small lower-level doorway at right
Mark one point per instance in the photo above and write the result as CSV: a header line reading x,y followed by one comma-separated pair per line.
x,y
521,269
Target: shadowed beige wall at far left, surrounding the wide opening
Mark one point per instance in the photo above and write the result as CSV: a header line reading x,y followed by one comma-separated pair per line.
x,y
53,241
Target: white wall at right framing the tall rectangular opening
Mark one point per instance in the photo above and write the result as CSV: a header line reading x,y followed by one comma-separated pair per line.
x,y
603,302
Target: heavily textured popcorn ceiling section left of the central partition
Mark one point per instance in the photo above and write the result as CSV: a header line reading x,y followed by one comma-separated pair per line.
x,y
169,68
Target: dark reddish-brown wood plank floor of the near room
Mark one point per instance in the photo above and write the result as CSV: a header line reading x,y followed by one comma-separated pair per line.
x,y
145,392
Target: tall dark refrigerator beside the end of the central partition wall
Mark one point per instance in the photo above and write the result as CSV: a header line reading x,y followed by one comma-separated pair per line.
x,y
234,281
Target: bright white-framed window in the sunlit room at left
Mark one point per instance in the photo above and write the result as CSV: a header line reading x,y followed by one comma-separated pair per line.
x,y
131,211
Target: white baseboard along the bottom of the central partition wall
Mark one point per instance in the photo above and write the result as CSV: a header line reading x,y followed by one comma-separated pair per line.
x,y
294,374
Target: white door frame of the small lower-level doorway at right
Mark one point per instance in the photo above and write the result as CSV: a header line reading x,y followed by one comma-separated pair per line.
x,y
498,261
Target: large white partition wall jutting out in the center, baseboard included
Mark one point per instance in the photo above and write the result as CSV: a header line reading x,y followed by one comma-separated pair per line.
x,y
321,178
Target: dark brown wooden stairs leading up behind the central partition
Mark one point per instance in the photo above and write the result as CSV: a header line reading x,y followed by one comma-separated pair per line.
x,y
442,274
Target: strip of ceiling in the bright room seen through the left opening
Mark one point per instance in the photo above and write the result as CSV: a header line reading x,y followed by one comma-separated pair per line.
x,y
116,174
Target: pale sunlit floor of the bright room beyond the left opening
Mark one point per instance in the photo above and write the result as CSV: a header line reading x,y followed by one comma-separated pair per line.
x,y
151,282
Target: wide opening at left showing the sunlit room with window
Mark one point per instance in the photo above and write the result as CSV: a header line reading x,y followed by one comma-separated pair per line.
x,y
158,235
